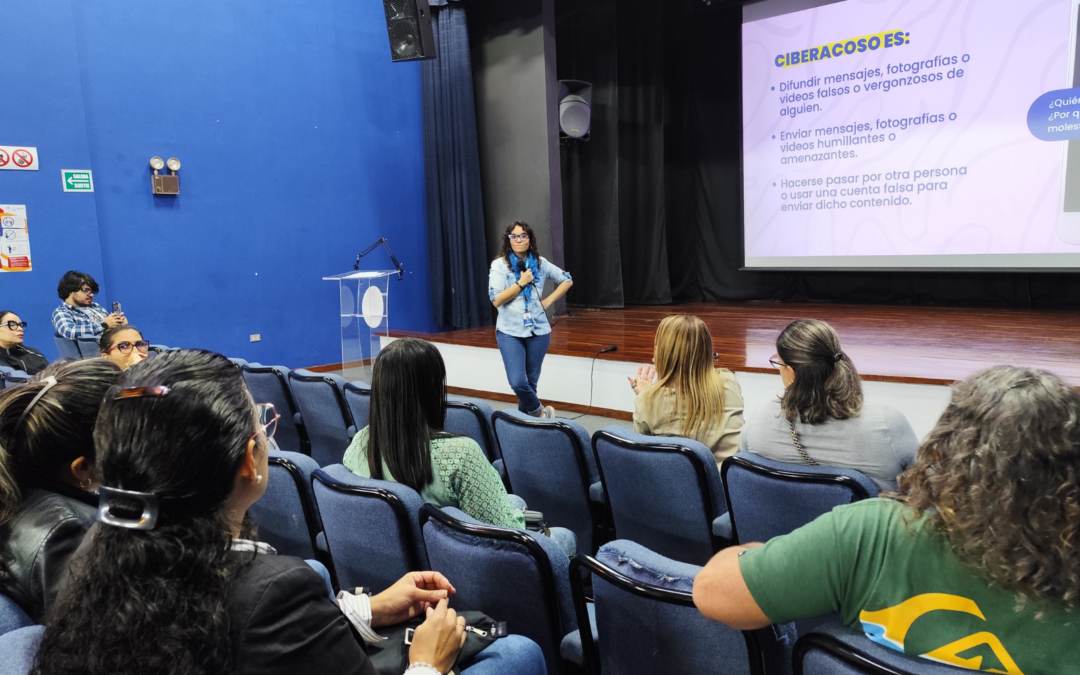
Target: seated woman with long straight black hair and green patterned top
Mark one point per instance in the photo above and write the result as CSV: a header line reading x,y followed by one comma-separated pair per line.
x,y
404,439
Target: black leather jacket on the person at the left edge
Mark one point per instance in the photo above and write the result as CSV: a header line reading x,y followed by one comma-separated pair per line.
x,y
36,545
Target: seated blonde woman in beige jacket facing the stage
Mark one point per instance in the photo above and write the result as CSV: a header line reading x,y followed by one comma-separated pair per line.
x,y
684,396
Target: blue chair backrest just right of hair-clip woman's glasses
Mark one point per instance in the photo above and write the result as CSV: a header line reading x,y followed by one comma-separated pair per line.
x,y
286,515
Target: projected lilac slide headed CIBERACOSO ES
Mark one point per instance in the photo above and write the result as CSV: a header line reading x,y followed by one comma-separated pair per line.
x,y
913,134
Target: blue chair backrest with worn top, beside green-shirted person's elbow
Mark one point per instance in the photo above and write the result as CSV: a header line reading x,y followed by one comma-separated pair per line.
x,y
646,622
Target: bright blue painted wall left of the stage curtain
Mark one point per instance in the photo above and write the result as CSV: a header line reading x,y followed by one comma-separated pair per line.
x,y
301,144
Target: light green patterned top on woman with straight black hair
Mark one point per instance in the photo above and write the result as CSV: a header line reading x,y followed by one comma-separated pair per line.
x,y
463,477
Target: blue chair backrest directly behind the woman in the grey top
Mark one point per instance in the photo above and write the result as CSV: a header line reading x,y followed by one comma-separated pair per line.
x,y
767,498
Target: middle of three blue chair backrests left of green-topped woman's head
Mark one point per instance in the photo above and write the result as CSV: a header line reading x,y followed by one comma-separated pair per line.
x,y
320,398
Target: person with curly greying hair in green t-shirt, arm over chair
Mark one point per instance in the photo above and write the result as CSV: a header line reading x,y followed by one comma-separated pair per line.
x,y
975,563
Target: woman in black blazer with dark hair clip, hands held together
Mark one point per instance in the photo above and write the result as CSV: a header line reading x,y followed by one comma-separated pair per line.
x,y
172,582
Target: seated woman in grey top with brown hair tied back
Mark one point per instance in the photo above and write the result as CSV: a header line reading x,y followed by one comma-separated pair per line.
x,y
821,418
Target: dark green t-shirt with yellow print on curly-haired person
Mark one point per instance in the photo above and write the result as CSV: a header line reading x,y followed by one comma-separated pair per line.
x,y
900,583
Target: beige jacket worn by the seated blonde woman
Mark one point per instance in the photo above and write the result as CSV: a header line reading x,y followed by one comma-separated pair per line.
x,y
722,436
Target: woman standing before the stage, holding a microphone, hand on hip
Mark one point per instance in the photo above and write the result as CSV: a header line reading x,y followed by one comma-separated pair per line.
x,y
516,285
